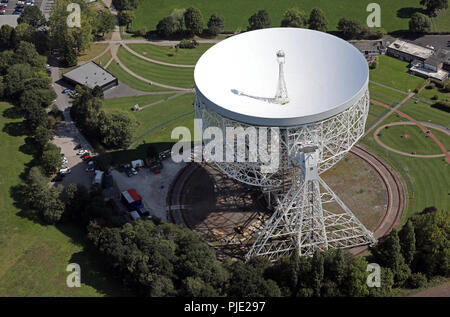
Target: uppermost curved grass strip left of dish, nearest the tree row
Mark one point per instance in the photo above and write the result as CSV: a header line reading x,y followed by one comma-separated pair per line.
x,y
169,55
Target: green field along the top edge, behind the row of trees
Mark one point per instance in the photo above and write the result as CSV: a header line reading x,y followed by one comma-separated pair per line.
x,y
394,14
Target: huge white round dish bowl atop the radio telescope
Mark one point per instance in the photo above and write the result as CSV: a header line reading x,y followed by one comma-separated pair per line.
x,y
324,76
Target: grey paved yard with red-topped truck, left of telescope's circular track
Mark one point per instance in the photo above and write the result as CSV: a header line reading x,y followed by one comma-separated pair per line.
x,y
152,188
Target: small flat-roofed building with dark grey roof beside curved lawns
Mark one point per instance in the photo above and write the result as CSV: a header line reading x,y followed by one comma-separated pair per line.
x,y
91,75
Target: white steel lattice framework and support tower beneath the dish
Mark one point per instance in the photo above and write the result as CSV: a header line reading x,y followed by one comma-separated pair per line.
x,y
301,220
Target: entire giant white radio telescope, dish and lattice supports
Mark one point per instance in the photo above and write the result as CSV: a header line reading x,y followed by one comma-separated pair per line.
x,y
313,87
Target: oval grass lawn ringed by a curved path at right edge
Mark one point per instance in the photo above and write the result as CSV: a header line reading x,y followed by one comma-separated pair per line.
x,y
416,140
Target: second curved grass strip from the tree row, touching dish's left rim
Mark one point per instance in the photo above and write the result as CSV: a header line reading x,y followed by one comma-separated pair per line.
x,y
173,76
